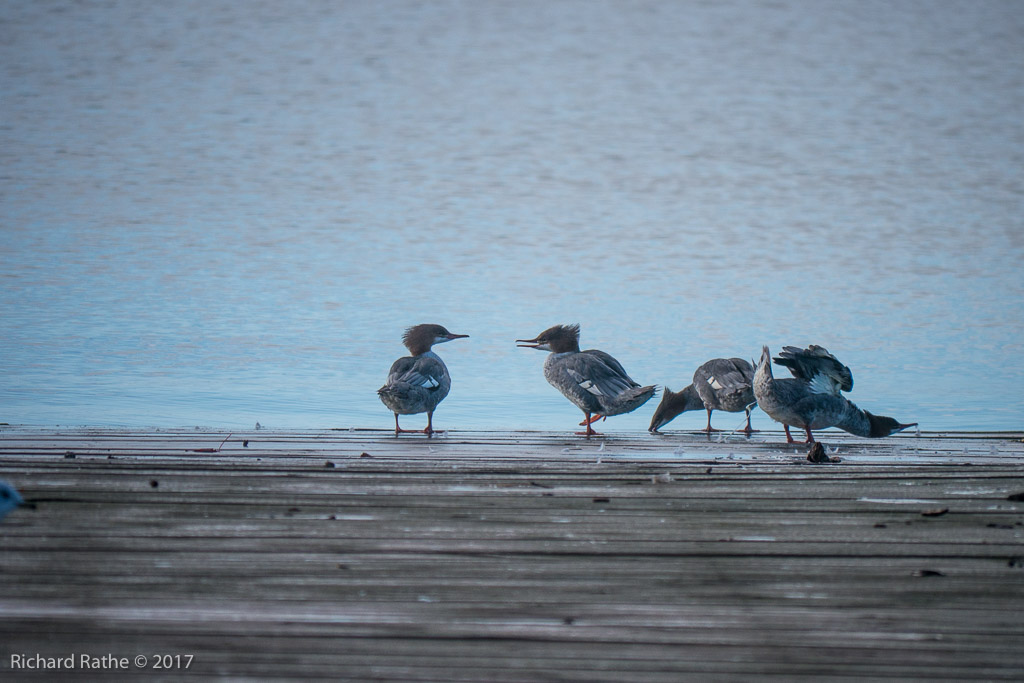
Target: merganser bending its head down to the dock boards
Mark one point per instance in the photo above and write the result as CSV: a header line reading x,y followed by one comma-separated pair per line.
x,y
721,385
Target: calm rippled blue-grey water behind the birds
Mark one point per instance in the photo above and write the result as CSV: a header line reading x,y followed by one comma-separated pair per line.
x,y
219,214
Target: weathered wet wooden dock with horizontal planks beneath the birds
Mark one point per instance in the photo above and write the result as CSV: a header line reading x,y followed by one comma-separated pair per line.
x,y
524,557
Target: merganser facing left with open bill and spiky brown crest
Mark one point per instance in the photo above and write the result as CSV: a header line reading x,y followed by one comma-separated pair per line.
x,y
593,380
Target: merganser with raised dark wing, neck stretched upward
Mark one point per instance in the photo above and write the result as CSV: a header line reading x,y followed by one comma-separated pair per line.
x,y
812,400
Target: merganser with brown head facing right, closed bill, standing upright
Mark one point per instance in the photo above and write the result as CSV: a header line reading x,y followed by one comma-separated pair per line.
x,y
419,382
